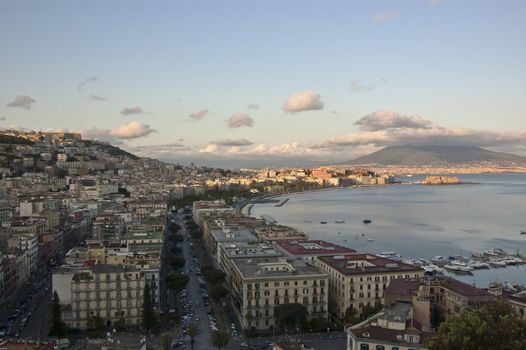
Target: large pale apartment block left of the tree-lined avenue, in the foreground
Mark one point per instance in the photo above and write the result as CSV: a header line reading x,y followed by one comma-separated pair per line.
x,y
112,292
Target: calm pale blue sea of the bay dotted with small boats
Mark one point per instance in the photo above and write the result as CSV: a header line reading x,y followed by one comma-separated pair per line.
x,y
418,221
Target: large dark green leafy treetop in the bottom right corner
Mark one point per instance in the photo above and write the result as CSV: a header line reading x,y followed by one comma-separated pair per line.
x,y
493,325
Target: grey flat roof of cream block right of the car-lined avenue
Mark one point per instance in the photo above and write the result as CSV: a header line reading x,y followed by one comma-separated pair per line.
x,y
274,267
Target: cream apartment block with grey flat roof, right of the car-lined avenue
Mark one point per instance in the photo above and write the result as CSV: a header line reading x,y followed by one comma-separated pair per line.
x,y
259,285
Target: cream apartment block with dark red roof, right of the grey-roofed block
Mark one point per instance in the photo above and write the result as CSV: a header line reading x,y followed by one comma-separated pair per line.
x,y
357,280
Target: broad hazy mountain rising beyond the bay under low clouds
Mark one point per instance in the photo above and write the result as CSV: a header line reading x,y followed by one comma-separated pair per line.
x,y
436,155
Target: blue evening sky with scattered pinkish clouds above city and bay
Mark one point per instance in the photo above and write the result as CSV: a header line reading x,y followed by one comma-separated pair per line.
x,y
255,83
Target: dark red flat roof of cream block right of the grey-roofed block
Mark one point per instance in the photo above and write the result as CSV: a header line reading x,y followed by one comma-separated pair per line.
x,y
356,264
